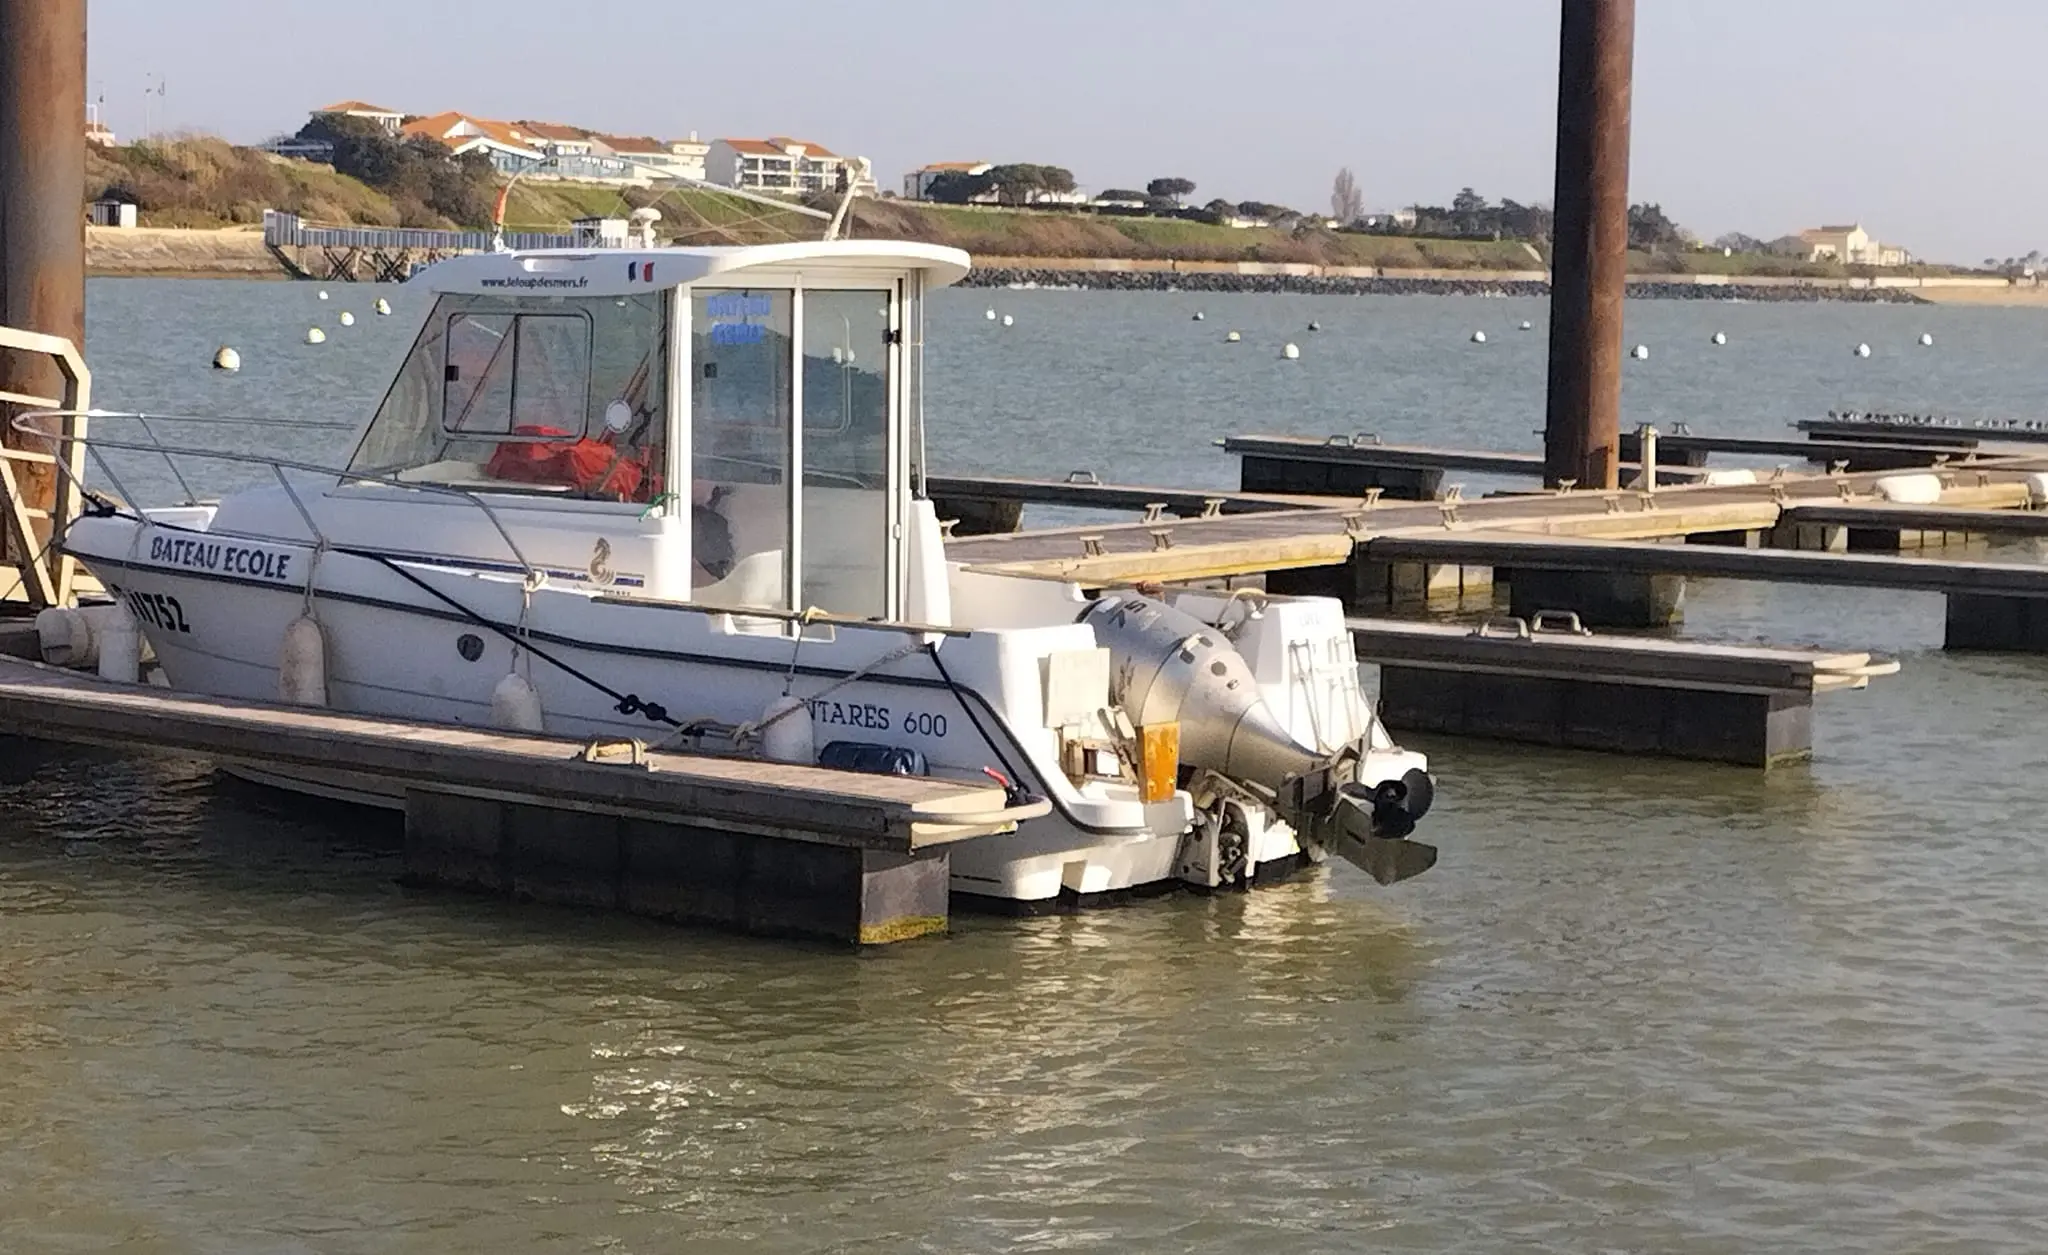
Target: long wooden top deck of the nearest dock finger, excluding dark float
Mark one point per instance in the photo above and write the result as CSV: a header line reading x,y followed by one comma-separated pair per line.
x,y
896,814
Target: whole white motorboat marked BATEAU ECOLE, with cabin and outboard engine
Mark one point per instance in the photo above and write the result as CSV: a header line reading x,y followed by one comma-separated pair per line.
x,y
677,494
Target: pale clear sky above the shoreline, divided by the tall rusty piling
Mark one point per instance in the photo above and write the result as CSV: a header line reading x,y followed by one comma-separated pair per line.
x,y
1758,116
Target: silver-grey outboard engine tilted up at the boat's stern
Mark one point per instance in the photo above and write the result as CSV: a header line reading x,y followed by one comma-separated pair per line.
x,y
1168,666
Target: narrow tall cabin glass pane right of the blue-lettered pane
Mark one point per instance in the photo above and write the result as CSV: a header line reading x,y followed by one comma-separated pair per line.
x,y
847,451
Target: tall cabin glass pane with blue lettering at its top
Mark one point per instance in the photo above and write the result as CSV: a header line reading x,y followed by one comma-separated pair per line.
x,y
742,408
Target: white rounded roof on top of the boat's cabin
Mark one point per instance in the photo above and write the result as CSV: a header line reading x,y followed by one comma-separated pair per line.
x,y
626,271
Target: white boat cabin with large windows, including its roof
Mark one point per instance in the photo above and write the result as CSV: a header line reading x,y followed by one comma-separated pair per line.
x,y
738,423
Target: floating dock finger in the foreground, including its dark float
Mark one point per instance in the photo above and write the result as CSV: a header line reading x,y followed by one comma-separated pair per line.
x,y
744,845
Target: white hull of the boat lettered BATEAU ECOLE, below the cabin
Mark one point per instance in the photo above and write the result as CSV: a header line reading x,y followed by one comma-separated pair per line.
x,y
415,642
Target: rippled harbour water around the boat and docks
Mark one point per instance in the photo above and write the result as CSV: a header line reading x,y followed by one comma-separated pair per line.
x,y
1639,1006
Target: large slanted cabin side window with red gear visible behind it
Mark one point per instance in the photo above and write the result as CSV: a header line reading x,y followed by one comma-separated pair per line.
x,y
548,396
